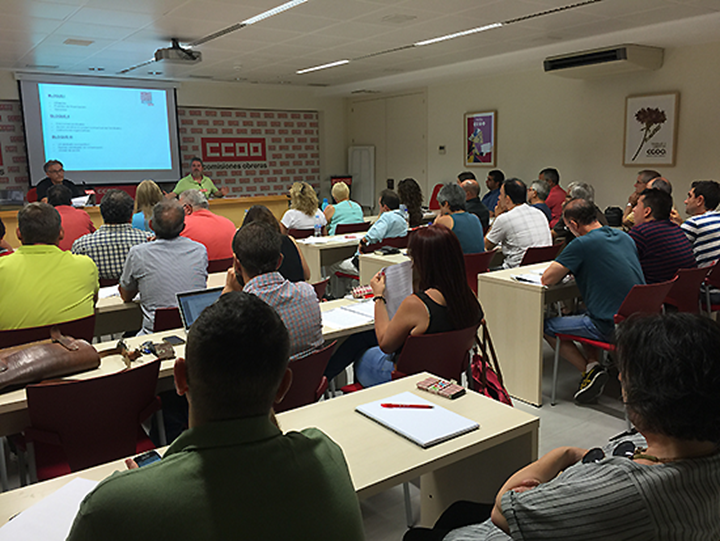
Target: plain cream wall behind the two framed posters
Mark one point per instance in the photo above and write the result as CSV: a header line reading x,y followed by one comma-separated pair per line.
x,y
577,126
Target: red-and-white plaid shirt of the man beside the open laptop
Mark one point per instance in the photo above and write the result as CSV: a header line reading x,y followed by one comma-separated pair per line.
x,y
298,307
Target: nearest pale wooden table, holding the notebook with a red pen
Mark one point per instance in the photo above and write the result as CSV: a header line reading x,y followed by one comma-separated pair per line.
x,y
471,467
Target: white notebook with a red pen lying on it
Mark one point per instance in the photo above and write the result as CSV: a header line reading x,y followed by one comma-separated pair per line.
x,y
426,427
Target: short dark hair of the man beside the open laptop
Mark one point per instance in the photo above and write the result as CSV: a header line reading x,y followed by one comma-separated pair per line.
x,y
257,247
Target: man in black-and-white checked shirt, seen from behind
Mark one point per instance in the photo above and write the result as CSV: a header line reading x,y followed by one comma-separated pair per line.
x,y
108,246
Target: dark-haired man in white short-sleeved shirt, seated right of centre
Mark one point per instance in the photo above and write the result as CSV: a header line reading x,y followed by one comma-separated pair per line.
x,y
517,225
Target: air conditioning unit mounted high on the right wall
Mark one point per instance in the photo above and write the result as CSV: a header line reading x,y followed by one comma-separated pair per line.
x,y
606,61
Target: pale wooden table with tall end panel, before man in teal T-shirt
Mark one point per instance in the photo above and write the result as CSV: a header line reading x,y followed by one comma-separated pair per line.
x,y
514,312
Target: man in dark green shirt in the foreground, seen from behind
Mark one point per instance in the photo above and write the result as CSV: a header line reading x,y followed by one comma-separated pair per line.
x,y
233,474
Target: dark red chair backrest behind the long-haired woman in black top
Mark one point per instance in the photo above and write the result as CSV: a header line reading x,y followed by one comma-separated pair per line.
x,y
443,354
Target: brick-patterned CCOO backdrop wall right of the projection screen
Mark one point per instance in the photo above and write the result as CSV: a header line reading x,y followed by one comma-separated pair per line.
x,y
252,152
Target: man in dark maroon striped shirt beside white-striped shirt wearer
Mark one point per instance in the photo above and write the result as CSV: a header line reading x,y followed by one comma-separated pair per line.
x,y
662,247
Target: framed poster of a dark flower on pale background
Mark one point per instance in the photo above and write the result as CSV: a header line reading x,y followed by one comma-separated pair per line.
x,y
651,129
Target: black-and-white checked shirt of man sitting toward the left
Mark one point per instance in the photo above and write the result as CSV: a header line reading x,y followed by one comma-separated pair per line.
x,y
108,247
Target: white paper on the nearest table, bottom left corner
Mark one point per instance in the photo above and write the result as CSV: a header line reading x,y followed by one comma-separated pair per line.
x,y
51,518
